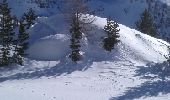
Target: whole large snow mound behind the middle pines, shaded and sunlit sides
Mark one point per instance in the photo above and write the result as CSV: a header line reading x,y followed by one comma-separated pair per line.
x,y
134,46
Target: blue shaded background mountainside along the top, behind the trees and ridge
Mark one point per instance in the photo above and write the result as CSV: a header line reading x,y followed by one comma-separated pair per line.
x,y
126,12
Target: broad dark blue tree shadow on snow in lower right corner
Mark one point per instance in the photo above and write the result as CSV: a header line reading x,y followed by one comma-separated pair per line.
x,y
157,75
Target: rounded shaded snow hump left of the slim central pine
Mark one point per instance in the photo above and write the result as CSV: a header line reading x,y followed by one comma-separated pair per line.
x,y
52,47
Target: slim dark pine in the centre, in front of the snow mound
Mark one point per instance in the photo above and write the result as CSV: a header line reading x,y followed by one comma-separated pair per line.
x,y
76,35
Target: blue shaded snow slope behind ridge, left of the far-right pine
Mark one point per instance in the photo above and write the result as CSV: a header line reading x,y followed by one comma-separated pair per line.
x,y
126,12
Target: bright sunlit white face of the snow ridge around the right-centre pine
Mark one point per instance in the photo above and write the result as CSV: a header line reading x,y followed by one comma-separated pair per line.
x,y
135,45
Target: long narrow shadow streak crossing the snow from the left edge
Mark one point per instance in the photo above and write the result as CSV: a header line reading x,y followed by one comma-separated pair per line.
x,y
64,67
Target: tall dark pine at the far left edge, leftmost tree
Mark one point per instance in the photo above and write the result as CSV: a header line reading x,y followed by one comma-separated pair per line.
x,y
6,33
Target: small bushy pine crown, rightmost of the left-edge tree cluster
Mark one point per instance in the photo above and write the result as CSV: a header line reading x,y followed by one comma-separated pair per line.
x,y
29,18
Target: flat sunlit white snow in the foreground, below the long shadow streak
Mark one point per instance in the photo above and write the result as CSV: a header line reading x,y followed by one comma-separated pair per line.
x,y
93,84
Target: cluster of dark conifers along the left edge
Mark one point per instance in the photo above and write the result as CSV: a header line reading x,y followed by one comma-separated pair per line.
x,y
13,35
